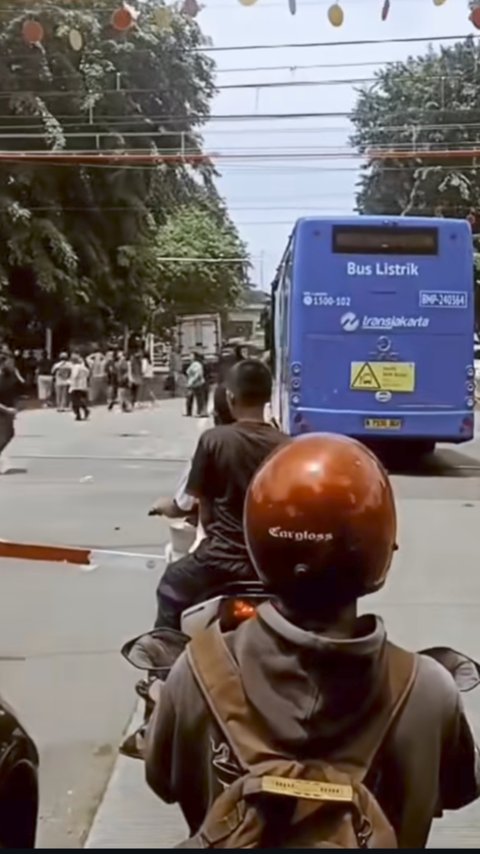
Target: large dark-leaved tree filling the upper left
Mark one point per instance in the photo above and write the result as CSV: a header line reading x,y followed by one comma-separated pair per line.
x,y
71,233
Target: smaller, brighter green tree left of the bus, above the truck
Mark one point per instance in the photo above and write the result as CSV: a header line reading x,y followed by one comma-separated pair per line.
x,y
195,263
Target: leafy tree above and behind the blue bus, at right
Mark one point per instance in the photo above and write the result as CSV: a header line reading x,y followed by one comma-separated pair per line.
x,y
428,103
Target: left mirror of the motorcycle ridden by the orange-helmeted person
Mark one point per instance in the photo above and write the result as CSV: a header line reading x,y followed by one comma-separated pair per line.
x,y
156,650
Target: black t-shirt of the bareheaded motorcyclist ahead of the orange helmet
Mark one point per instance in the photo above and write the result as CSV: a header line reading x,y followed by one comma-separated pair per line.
x,y
224,463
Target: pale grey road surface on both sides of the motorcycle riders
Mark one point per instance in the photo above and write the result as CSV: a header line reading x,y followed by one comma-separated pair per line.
x,y
90,484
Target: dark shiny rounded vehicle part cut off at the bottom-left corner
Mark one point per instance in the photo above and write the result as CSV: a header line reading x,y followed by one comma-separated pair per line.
x,y
18,783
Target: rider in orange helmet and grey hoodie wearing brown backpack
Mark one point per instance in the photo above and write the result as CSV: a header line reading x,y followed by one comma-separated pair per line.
x,y
307,727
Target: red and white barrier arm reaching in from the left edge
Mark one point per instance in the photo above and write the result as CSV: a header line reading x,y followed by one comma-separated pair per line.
x,y
86,559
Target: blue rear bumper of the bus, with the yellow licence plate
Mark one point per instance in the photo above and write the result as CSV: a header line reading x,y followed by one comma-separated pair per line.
x,y
454,426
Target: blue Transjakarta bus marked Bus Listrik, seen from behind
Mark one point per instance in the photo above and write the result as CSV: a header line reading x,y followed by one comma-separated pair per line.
x,y
373,329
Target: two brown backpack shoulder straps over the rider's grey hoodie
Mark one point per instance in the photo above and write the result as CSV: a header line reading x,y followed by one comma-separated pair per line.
x,y
218,677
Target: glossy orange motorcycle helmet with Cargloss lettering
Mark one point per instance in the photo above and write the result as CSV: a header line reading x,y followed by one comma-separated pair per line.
x,y
320,521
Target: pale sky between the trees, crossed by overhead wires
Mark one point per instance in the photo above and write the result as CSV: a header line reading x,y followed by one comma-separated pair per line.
x,y
266,196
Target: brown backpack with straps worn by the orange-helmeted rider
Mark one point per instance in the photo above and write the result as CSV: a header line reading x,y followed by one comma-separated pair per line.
x,y
279,802
